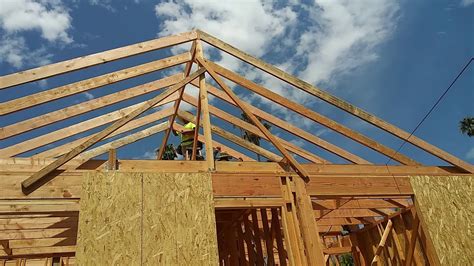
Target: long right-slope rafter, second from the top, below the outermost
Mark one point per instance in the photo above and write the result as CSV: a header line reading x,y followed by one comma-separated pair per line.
x,y
316,117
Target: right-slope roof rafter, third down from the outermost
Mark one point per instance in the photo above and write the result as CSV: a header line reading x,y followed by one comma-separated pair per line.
x,y
291,129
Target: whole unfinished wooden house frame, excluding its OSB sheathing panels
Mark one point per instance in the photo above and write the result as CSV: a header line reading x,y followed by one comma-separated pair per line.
x,y
278,212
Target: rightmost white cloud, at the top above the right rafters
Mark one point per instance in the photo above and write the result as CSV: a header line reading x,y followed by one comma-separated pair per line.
x,y
345,36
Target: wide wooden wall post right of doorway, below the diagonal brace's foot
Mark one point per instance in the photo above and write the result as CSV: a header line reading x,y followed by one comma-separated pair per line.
x,y
308,225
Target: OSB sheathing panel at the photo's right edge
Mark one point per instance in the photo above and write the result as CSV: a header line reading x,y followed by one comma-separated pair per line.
x,y
448,210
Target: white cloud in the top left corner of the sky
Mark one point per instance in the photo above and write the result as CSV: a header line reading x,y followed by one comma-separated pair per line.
x,y
48,17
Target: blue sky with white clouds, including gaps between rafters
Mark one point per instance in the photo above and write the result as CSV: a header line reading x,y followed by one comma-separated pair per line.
x,y
390,58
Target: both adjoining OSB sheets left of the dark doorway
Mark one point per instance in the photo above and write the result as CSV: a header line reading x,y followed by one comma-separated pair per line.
x,y
147,219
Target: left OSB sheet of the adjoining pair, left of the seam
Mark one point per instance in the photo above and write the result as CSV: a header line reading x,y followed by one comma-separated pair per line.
x,y
110,219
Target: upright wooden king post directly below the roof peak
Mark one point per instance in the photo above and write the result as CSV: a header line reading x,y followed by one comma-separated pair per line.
x,y
206,119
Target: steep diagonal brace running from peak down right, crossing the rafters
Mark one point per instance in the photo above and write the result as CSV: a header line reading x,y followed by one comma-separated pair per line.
x,y
289,158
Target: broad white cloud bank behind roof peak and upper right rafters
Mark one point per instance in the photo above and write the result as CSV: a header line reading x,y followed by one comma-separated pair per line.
x,y
317,42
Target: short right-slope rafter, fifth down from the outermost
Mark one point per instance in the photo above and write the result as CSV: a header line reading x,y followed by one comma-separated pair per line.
x,y
236,139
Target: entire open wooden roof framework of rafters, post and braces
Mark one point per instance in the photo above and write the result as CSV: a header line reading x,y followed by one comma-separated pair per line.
x,y
128,118
